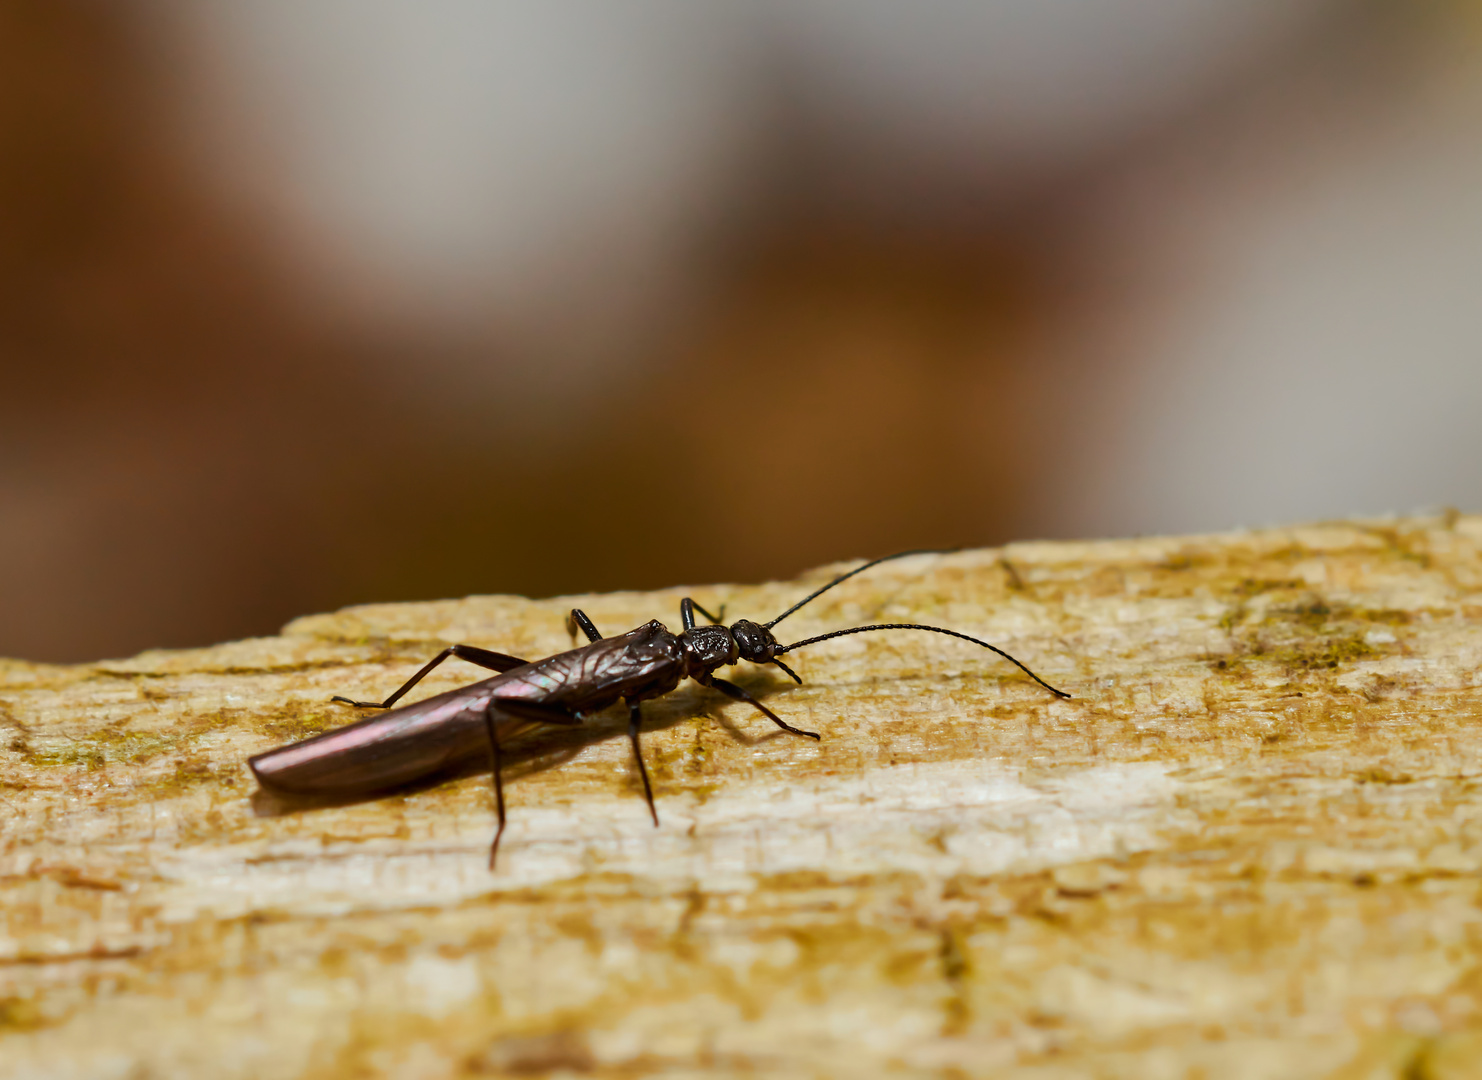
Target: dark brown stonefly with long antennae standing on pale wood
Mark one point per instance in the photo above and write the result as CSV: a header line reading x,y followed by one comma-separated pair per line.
x,y
431,737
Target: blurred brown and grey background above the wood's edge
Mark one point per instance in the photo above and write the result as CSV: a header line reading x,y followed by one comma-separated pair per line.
x,y
318,303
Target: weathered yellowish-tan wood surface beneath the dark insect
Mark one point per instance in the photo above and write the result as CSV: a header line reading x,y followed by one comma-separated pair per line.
x,y
1252,847
